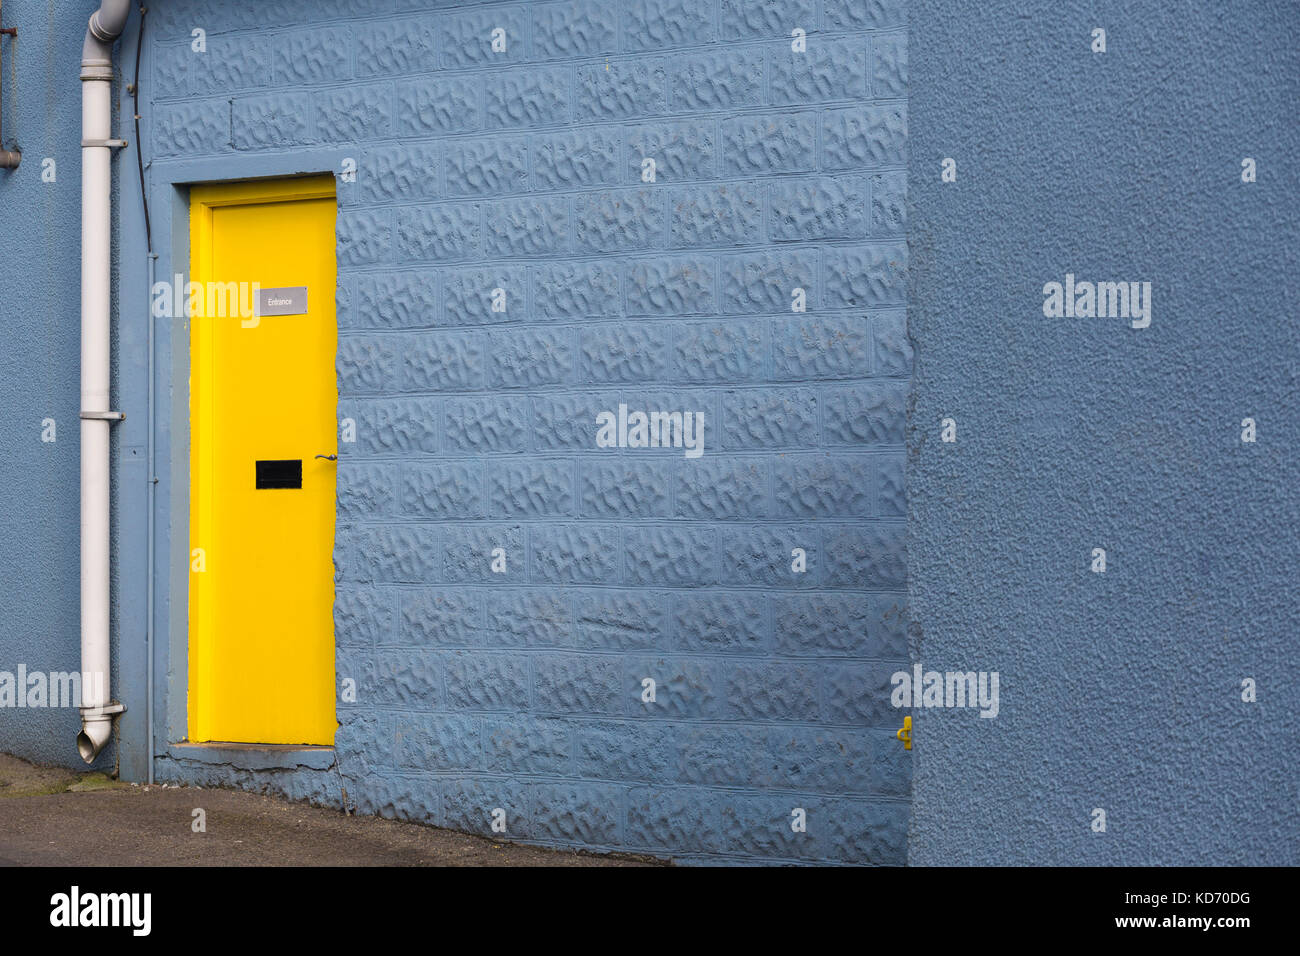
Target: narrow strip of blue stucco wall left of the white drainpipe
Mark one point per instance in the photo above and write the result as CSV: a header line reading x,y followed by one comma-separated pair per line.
x,y
41,369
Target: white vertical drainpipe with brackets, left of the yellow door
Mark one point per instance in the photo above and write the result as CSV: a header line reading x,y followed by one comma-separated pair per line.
x,y
97,75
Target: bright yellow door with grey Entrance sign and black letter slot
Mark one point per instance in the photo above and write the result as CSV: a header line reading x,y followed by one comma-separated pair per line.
x,y
263,405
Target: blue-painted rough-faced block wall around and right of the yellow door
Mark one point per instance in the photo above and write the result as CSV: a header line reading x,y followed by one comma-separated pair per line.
x,y
519,175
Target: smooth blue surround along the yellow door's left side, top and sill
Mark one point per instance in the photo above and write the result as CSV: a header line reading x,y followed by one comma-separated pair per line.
x,y
168,181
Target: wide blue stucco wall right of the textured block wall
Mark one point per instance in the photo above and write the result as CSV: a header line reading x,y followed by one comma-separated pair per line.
x,y
1120,691
